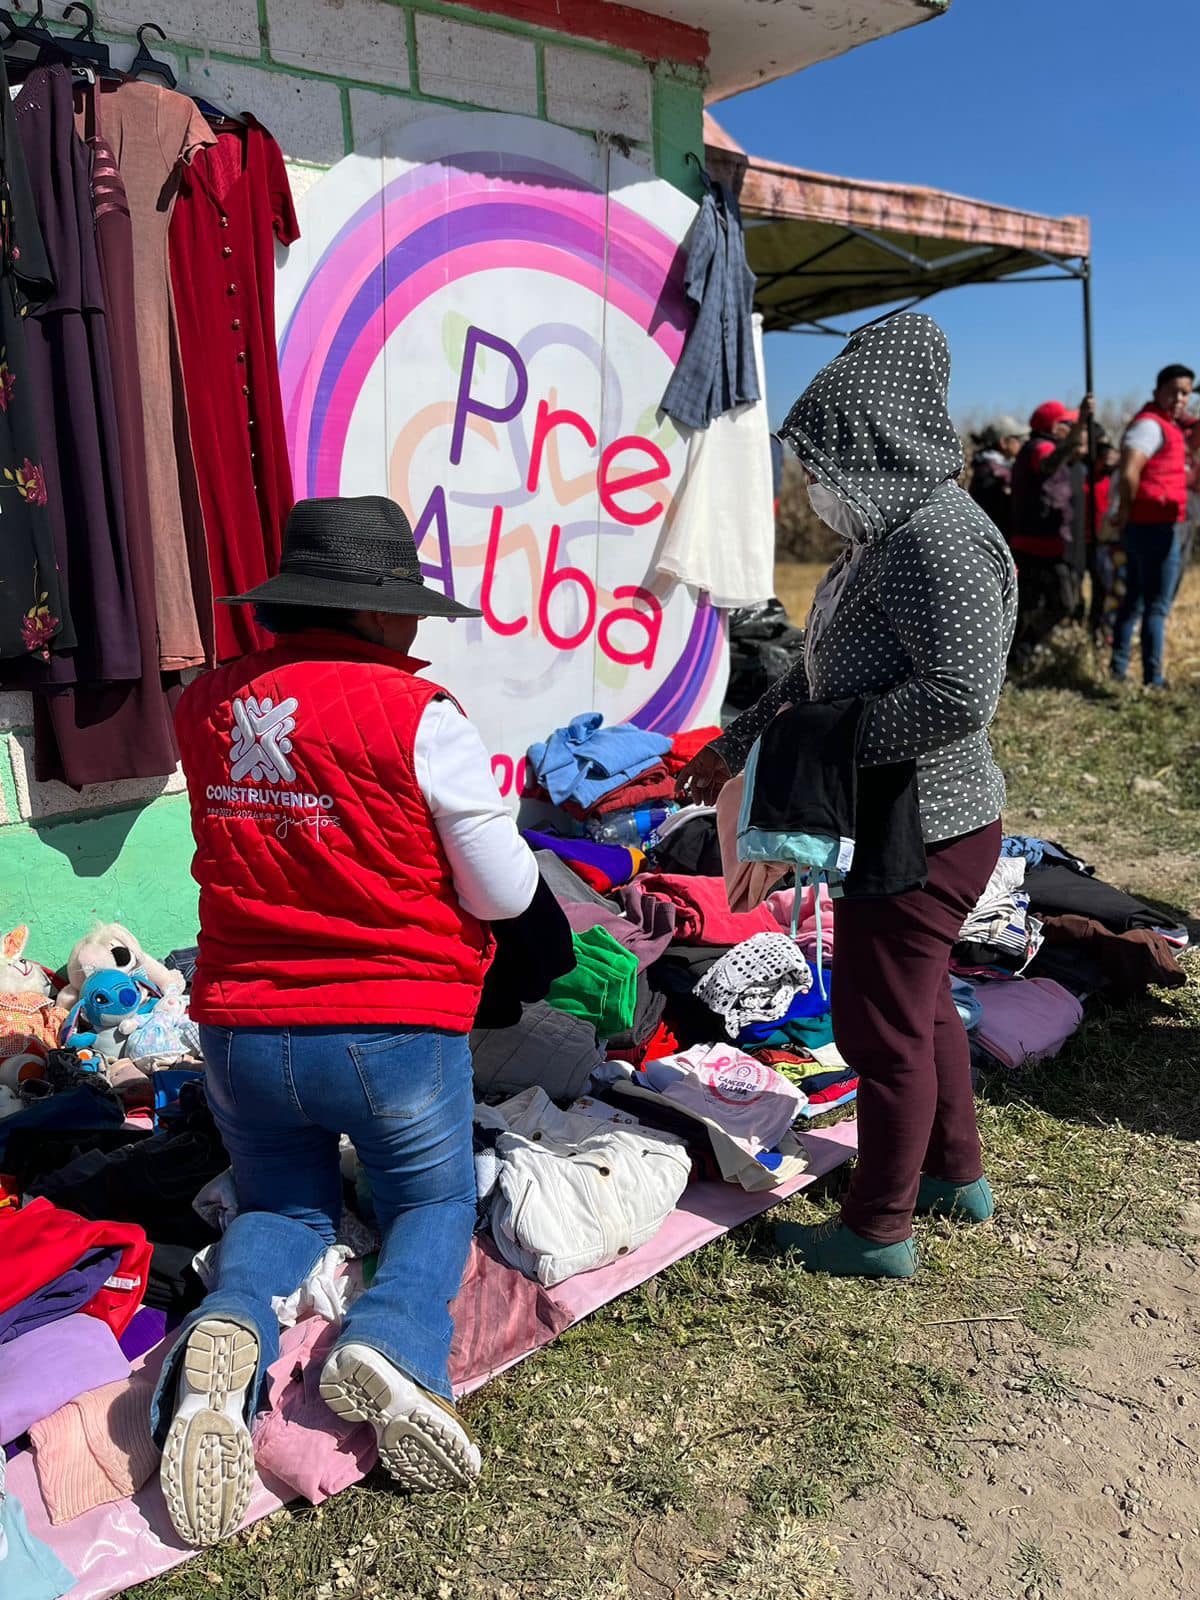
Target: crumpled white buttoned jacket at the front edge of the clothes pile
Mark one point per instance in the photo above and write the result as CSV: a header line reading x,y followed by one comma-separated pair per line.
x,y
575,1193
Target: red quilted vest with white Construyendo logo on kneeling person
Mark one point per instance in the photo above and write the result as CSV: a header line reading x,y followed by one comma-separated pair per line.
x,y
326,895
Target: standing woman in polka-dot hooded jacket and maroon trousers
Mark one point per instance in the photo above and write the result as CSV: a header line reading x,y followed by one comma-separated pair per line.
x,y
918,618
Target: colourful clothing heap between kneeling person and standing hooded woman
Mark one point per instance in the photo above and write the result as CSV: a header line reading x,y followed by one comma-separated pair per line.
x,y
658,1031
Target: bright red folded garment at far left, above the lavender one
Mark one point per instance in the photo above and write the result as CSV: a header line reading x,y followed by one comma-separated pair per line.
x,y
41,1242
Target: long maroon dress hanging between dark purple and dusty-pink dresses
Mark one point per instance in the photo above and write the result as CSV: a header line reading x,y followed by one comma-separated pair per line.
x,y
106,732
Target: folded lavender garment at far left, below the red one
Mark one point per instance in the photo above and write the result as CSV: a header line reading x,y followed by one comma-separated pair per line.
x,y
44,1370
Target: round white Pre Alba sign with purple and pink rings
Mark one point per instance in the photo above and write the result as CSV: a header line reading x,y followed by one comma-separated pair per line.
x,y
479,321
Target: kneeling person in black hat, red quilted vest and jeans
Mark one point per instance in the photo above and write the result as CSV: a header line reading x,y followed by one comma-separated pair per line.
x,y
351,850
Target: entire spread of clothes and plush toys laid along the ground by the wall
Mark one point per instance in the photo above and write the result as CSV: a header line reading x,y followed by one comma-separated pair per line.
x,y
636,1036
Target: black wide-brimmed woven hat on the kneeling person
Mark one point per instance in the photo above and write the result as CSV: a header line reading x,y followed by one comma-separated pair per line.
x,y
351,556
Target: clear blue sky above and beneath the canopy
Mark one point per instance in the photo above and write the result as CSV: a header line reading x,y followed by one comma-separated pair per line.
x,y
1058,106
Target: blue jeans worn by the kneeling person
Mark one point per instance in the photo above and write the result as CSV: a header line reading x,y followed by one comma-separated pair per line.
x,y
282,1098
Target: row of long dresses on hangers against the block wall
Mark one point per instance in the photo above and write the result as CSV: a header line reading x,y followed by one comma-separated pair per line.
x,y
159,468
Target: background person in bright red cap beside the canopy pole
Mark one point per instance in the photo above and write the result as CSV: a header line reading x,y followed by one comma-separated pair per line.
x,y
1044,522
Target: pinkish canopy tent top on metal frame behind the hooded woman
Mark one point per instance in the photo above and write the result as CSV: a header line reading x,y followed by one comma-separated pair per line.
x,y
825,247
